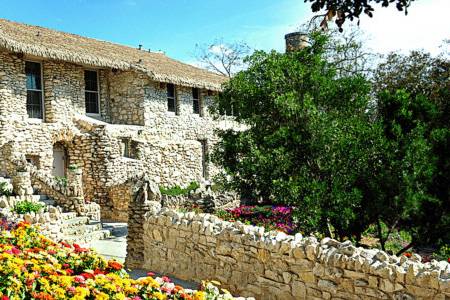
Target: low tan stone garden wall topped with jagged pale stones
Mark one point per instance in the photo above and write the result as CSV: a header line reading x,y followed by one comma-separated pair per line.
x,y
271,265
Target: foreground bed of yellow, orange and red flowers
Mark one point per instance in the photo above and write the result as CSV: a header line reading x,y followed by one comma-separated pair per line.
x,y
34,267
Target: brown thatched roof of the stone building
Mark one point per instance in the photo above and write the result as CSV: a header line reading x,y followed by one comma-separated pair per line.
x,y
52,44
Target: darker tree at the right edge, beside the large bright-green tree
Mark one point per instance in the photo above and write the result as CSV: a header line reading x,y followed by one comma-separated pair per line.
x,y
413,105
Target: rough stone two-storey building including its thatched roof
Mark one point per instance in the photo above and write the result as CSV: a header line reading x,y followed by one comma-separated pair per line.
x,y
114,111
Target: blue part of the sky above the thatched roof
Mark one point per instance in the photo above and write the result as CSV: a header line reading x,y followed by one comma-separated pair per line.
x,y
172,26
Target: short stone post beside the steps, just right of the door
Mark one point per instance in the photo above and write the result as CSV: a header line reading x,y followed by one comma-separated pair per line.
x,y
75,191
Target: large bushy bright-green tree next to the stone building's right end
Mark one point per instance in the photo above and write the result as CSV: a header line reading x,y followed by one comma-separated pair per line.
x,y
303,121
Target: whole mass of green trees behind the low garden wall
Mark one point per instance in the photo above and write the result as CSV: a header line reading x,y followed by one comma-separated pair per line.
x,y
322,143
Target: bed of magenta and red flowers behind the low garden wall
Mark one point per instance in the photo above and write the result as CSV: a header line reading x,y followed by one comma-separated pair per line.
x,y
269,217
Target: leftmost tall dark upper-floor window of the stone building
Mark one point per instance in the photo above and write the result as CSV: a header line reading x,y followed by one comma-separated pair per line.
x,y
34,90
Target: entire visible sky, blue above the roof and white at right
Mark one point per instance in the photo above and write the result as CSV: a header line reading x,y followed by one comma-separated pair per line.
x,y
175,26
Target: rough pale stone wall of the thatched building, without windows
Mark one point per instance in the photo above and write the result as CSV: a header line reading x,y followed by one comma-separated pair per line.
x,y
165,145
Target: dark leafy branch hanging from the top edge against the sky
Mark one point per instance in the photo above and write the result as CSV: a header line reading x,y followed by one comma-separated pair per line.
x,y
342,10
